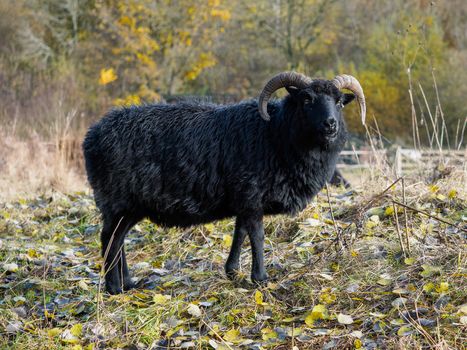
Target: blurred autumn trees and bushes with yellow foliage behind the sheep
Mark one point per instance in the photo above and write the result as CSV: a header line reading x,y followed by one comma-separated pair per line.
x,y
84,56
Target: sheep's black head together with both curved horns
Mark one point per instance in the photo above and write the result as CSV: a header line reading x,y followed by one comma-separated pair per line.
x,y
319,102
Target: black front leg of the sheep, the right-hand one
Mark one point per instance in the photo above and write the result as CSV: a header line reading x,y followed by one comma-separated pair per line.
x,y
255,229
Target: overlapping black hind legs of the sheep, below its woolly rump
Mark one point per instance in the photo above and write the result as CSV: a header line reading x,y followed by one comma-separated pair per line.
x,y
115,266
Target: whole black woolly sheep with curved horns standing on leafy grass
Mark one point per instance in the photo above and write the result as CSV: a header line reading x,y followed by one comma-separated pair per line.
x,y
187,164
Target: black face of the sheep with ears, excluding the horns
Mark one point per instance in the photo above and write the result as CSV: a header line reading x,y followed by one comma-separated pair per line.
x,y
319,110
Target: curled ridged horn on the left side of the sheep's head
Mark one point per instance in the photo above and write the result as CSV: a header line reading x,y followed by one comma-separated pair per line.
x,y
275,83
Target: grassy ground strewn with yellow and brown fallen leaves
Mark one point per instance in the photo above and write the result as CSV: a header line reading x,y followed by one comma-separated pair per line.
x,y
339,276
